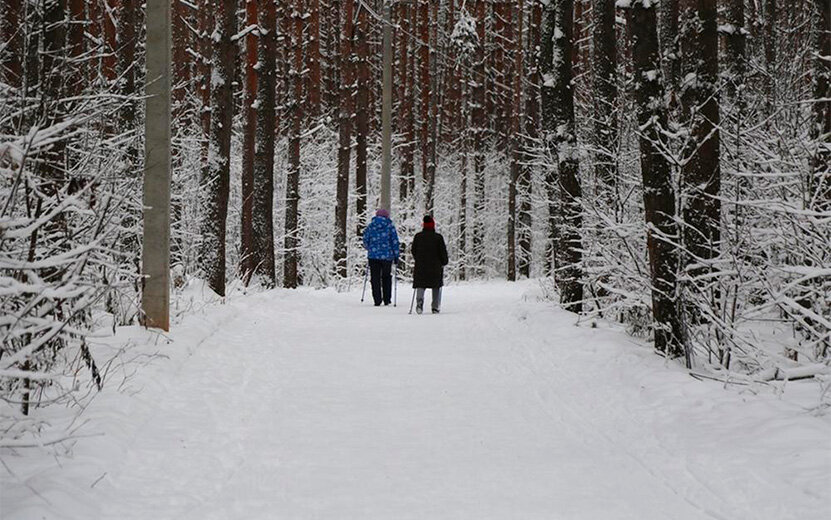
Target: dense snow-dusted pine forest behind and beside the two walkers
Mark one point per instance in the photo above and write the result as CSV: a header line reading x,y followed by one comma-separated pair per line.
x,y
665,164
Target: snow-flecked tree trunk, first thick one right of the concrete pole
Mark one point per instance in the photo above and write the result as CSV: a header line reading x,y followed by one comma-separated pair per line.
x,y
216,172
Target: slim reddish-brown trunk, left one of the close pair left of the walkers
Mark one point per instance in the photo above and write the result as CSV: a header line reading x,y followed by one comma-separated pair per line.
x,y
247,256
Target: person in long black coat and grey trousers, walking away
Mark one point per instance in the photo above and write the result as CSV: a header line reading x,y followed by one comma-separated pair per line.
x,y
430,256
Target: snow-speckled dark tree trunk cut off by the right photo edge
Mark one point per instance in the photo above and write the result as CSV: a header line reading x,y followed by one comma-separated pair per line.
x,y
821,131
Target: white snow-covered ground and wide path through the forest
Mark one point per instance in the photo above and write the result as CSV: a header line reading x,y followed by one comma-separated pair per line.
x,y
310,405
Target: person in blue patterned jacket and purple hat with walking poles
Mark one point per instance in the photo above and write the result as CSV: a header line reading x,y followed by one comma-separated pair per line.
x,y
382,247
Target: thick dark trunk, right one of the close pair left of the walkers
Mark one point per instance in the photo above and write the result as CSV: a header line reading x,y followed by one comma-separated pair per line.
x,y
262,193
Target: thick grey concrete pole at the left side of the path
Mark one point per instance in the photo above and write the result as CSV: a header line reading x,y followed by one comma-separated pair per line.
x,y
155,298
